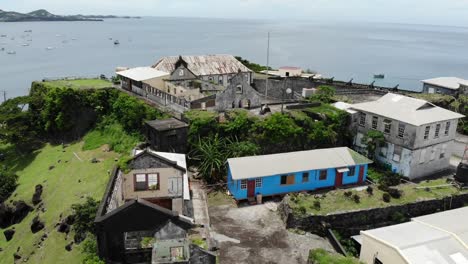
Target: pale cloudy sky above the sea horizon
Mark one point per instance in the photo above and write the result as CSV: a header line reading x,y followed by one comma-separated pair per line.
x,y
454,12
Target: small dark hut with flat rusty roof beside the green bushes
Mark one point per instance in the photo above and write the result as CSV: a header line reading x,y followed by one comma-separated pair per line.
x,y
168,135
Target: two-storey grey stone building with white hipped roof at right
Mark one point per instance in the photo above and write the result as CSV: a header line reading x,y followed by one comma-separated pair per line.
x,y
418,134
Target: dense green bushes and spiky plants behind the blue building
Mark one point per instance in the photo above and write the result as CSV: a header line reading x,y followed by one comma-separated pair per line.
x,y
240,134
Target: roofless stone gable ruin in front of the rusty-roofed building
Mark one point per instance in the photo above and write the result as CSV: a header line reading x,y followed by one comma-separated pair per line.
x,y
238,94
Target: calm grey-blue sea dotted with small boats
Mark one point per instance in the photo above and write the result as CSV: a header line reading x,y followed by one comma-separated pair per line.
x,y
404,53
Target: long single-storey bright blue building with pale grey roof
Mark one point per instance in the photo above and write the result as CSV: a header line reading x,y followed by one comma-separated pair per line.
x,y
295,171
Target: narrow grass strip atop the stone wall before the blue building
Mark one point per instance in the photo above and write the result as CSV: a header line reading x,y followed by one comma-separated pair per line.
x,y
336,201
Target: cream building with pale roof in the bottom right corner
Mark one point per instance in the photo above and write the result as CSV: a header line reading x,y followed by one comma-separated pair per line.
x,y
440,238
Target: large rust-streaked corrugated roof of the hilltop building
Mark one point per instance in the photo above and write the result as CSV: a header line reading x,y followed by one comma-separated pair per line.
x,y
204,65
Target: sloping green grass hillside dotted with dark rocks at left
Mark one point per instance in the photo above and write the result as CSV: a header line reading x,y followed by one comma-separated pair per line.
x,y
70,182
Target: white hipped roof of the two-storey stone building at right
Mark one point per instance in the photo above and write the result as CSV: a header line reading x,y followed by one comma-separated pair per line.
x,y
406,109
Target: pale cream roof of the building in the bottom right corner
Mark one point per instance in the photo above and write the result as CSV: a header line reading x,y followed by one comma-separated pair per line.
x,y
436,238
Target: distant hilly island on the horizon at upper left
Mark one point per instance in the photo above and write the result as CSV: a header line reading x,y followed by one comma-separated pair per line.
x,y
44,15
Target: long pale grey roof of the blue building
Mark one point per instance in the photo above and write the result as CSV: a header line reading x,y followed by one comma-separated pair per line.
x,y
268,165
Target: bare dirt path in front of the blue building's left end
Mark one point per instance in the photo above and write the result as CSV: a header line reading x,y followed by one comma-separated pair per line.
x,y
254,234
